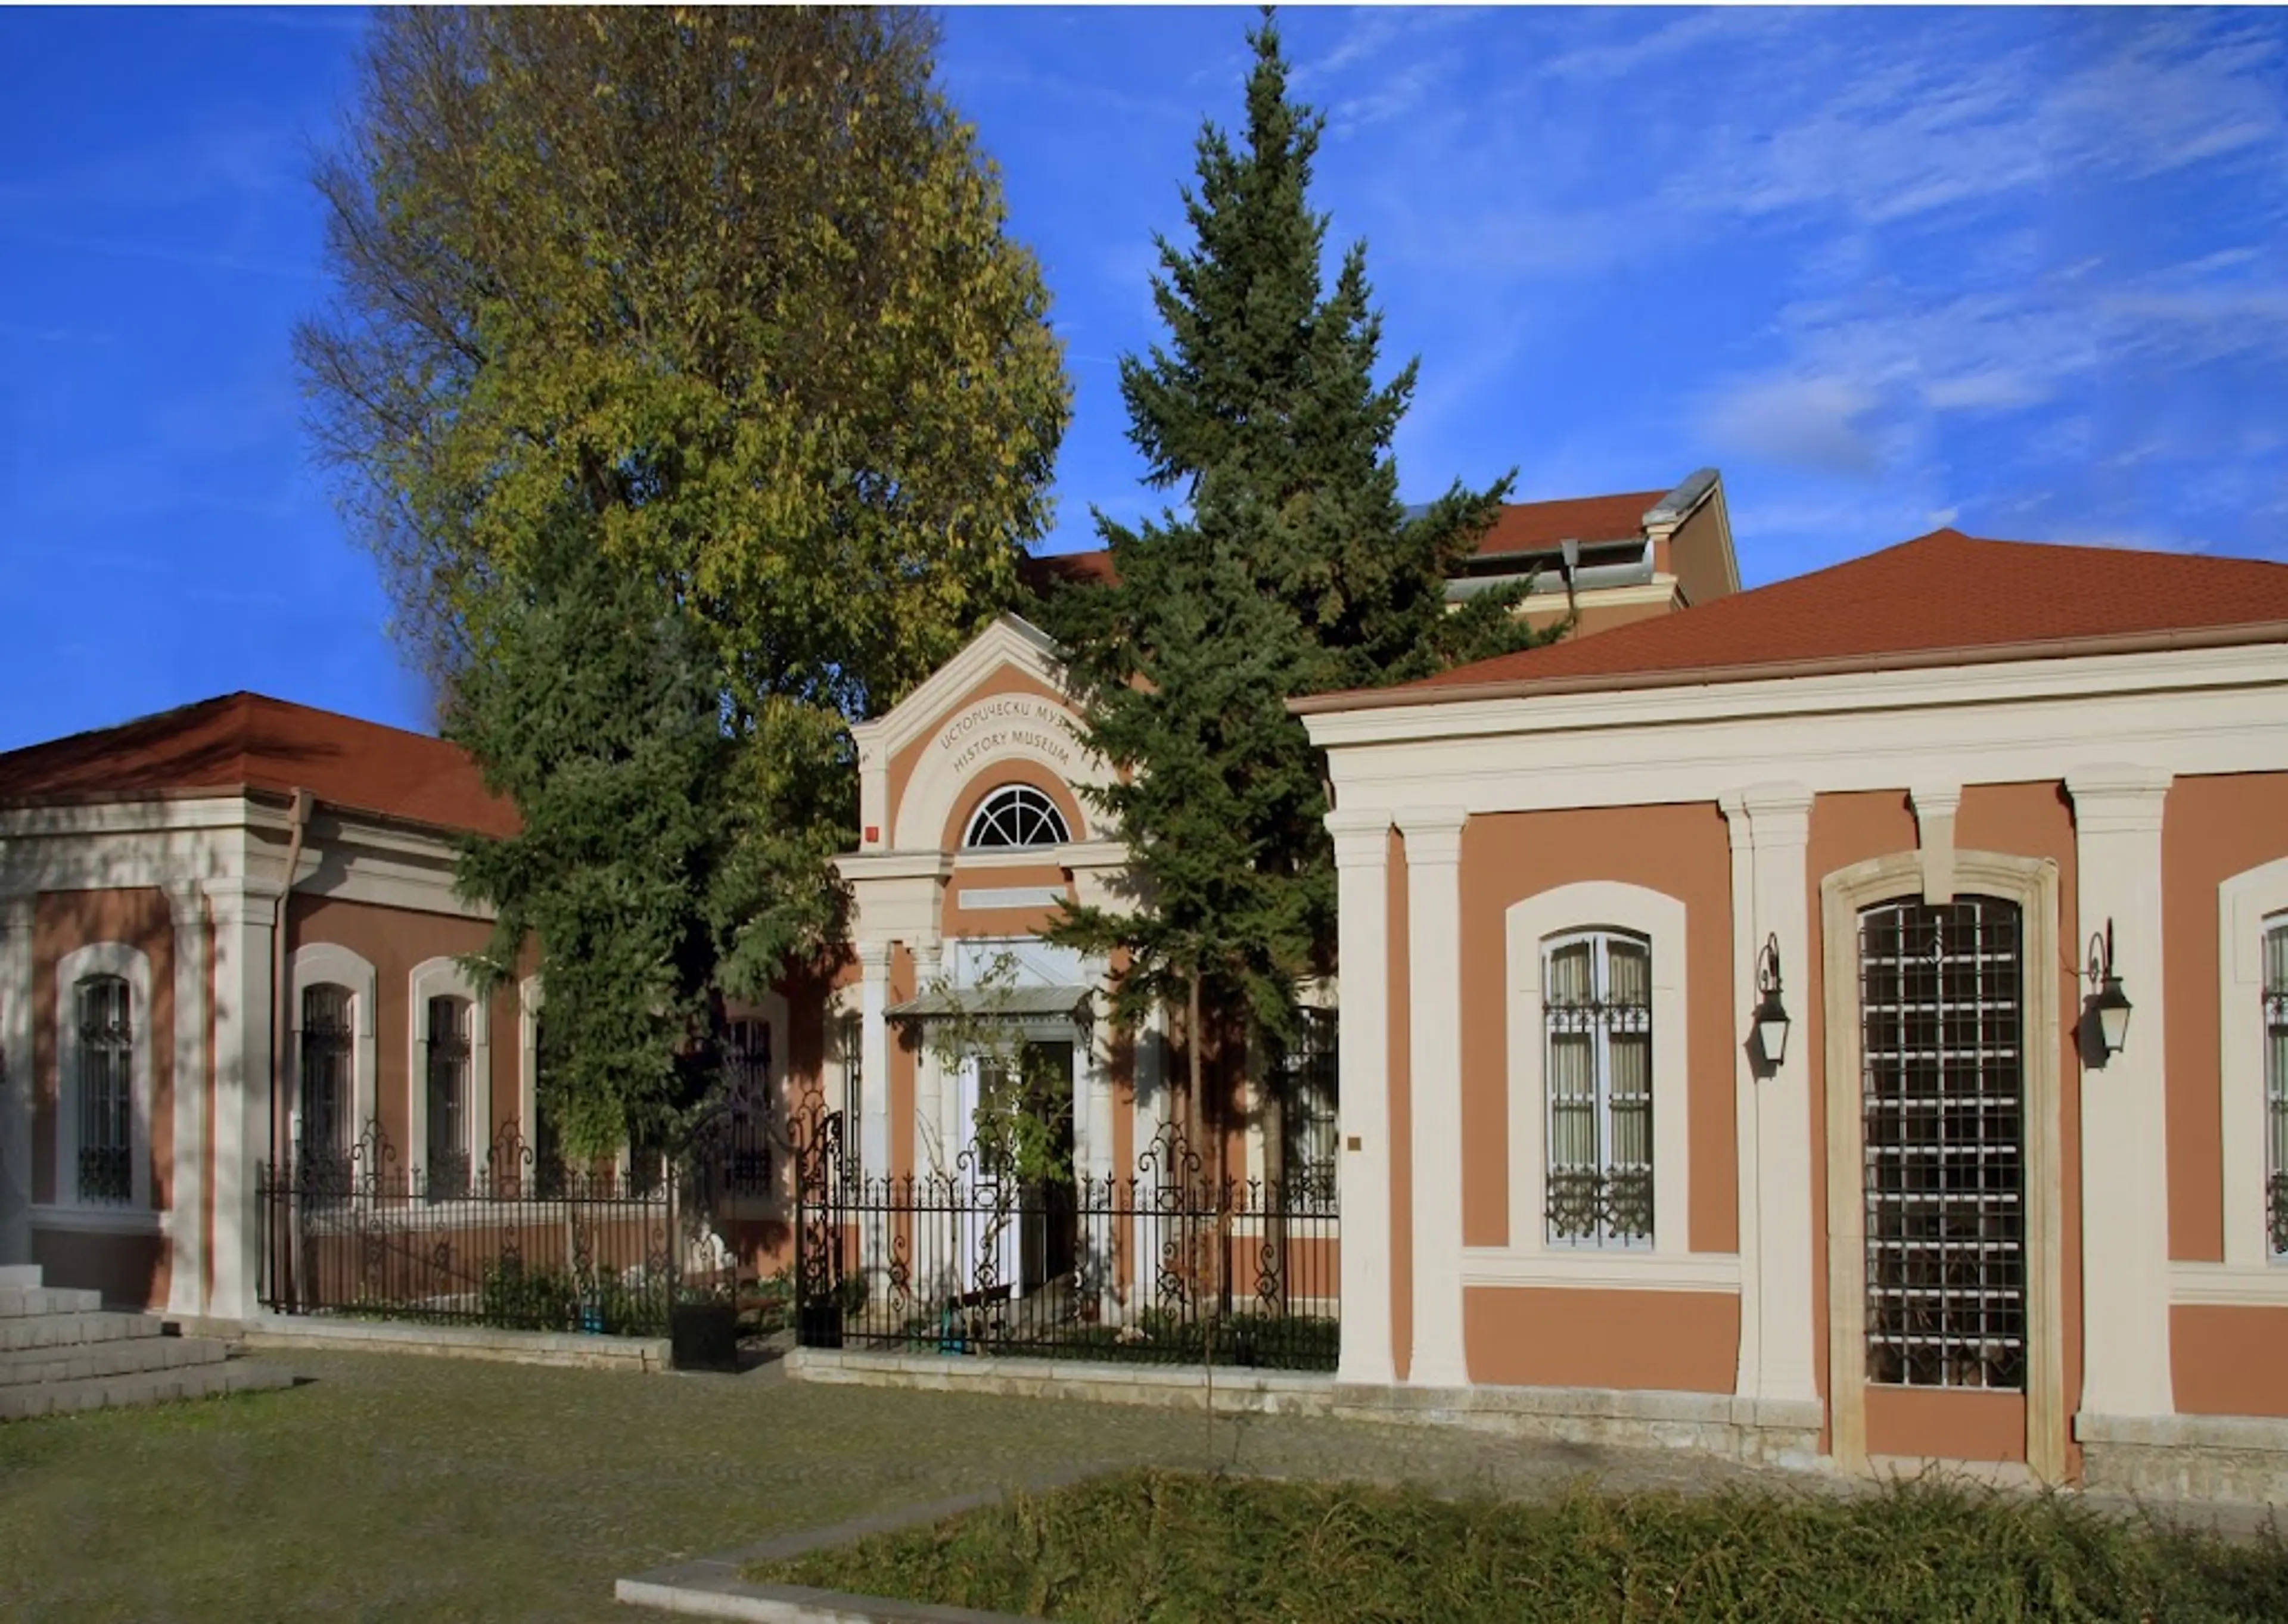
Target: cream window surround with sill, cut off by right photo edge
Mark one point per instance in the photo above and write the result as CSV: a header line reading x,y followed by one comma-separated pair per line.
x,y
2248,902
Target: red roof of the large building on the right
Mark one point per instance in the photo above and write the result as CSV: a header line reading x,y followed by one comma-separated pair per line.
x,y
1916,603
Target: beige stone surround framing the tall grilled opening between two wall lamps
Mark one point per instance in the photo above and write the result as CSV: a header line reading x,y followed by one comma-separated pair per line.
x,y
2033,886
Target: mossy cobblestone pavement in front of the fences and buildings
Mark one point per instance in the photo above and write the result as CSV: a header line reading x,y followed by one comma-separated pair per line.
x,y
404,1488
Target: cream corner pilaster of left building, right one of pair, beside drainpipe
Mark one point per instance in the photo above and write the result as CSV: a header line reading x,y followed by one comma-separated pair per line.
x,y
246,914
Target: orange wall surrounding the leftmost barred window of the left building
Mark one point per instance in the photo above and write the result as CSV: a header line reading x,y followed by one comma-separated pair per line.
x,y
65,923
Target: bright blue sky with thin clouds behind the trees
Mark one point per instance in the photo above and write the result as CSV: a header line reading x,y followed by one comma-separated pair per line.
x,y
2015,271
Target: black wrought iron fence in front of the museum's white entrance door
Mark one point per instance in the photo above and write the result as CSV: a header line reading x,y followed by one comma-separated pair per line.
x,y
1163,1264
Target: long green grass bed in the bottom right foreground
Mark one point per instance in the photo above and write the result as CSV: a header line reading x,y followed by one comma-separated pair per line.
x,y
1211,1550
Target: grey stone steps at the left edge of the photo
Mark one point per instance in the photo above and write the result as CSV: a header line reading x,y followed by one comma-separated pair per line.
x,y
63,1353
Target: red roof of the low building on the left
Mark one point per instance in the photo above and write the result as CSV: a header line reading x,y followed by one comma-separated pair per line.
x,y
253,742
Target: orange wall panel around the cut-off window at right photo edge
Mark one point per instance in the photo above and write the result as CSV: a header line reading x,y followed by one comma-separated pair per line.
x,y
2211,831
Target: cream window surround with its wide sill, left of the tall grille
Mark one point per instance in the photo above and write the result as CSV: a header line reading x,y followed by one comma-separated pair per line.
x,y
1530,1259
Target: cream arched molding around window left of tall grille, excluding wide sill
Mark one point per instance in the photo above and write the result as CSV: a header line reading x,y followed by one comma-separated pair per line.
x,y
1527,925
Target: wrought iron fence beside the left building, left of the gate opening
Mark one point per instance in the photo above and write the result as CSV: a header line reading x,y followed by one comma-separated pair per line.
x,y
518,1241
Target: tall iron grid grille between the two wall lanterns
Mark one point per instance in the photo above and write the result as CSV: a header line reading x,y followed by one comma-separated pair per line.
x,y
1944,1099
